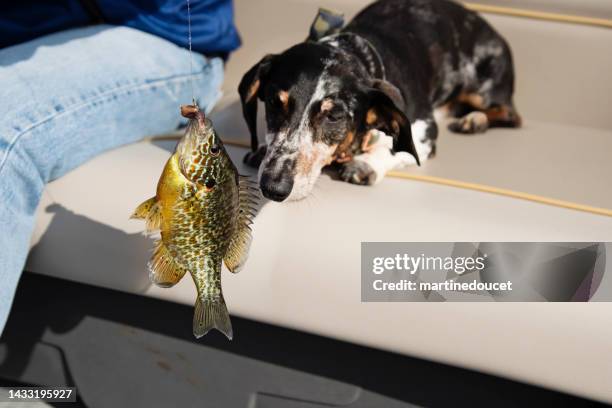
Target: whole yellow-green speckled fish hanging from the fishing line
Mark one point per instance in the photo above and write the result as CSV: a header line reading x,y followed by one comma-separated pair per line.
x,y
203,210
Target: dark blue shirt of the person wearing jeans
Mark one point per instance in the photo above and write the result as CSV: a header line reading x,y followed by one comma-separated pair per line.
x,y
212,21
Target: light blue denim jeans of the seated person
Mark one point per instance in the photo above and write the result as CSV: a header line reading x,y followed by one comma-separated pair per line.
x,y
69,96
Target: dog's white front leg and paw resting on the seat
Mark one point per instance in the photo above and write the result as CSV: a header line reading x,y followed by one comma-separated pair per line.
x,y
371,166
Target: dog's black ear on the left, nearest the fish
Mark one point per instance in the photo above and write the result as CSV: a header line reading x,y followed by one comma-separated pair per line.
x,y
249,89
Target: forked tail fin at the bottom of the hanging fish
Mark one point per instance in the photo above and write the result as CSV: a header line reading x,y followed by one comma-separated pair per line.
x,y
211,314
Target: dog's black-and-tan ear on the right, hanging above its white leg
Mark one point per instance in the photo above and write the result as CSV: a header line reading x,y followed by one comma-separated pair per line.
x,y
383,113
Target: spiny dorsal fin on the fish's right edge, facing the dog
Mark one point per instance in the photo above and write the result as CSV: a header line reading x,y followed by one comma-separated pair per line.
x,y
238,249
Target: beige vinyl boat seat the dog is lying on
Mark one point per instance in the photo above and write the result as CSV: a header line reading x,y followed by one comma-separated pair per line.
x,y
304,271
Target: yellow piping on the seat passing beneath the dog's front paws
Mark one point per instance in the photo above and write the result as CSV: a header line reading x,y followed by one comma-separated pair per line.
x,y
468,186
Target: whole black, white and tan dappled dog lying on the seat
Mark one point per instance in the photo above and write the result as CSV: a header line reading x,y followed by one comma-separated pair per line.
x,y
365,97
